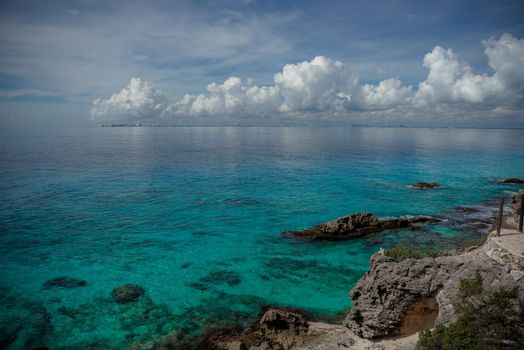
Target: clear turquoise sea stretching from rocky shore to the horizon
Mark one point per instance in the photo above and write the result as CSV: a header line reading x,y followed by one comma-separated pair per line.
x,y
194,216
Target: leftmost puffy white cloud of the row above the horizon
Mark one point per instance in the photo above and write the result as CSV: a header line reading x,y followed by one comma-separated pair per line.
x,y
138,101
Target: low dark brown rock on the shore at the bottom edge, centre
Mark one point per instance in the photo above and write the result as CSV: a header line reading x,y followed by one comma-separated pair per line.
x,y
277,328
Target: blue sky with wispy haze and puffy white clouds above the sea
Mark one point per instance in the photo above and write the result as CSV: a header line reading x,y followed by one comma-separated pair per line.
x,y
315,63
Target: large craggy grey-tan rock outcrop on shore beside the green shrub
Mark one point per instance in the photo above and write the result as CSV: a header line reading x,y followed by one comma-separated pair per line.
x,y
383,297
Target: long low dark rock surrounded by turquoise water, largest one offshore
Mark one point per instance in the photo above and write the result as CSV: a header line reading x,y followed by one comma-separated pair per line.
x,y
357,225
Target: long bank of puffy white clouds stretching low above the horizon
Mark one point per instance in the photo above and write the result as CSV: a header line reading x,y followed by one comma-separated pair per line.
x,y
324,88
